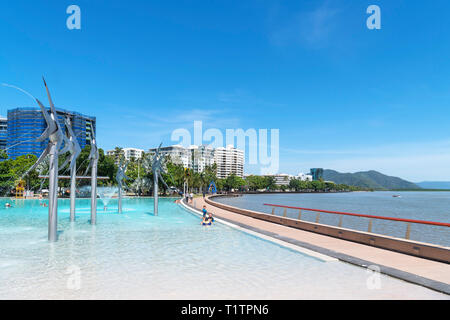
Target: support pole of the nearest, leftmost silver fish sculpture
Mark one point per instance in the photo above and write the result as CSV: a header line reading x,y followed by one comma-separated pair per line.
x,y
53,195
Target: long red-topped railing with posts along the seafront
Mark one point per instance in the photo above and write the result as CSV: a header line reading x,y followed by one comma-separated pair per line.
x,y
318,211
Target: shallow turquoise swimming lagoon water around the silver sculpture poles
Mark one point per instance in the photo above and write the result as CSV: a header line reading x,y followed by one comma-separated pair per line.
x,y
136,255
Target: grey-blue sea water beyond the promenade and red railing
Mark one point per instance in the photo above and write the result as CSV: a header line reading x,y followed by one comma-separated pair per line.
x,y
429,206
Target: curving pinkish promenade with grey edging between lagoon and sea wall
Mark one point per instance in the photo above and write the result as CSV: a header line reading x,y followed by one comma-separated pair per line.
x,y
427,273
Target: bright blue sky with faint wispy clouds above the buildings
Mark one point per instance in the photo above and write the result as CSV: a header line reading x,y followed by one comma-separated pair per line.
x,y
343,96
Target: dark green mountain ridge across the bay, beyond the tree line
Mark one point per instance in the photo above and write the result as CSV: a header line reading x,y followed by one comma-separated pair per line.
x,y
368,179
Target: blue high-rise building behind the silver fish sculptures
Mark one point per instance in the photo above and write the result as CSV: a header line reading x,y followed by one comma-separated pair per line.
x,y
26,124
